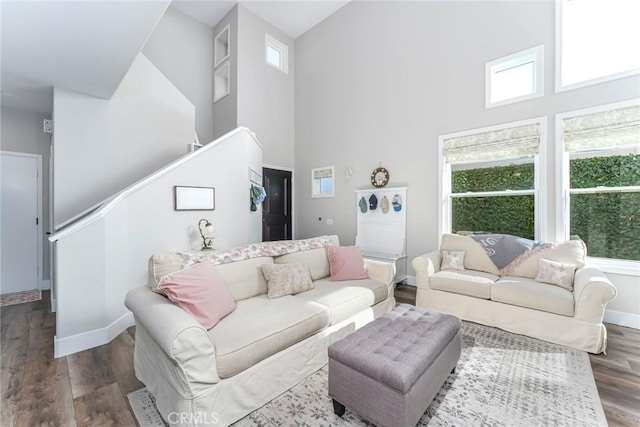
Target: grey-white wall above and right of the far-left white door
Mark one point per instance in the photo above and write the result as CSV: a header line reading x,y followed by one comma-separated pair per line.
x,y
22,131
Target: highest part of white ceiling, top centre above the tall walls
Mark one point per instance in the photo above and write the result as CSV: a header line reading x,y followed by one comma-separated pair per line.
x,y
293,17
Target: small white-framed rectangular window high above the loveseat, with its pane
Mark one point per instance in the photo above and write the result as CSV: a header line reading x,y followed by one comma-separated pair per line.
x,y
515,78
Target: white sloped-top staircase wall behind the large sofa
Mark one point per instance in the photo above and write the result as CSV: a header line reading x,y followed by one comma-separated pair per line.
x,y
105,258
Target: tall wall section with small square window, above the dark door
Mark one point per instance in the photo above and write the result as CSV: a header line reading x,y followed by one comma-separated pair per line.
x,y
265,94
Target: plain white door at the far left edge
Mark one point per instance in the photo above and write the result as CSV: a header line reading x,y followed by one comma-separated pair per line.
x,y
21,221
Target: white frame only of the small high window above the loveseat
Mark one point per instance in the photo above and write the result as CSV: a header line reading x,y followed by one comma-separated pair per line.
x,y
535,54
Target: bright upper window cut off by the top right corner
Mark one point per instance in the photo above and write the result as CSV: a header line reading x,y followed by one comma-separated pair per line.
x,y
596,41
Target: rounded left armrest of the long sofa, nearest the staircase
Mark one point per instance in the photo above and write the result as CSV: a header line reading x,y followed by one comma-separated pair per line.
x,y
182,339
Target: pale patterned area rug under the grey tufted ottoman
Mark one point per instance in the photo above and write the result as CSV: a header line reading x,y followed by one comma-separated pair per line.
x,y
502,379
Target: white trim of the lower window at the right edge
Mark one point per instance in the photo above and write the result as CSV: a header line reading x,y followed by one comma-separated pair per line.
x,y
608,265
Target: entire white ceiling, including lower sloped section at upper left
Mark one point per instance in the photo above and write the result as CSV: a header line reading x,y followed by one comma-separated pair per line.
x,y
88,46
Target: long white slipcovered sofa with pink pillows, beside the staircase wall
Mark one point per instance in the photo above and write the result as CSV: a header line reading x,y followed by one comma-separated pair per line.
x,y
264,347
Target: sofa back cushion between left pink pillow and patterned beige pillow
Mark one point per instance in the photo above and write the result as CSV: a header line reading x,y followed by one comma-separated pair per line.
x,y
244,278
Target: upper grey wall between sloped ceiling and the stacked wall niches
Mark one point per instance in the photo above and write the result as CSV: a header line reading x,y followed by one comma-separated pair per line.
x,y
182,49
